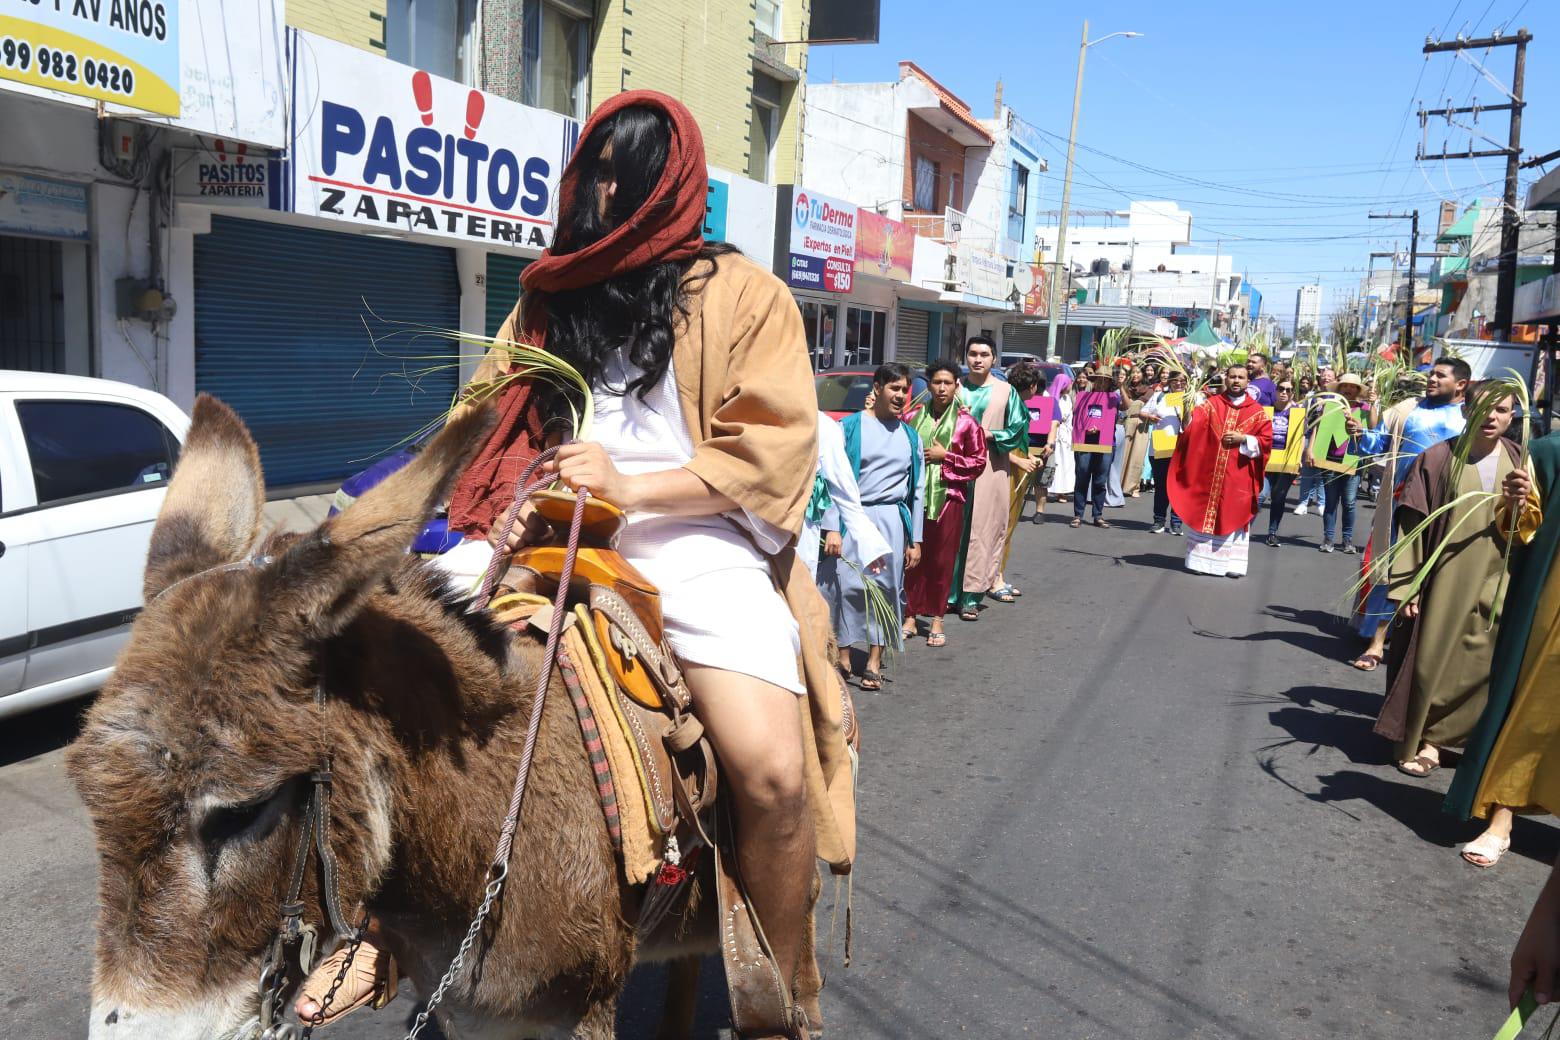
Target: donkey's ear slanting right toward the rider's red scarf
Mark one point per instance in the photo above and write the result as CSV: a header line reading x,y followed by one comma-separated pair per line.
x,y
324,581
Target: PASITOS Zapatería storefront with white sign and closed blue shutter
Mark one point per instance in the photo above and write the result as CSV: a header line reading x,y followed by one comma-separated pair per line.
x,y
328,302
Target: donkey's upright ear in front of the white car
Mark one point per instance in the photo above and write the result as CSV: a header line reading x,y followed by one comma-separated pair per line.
x,y
213,511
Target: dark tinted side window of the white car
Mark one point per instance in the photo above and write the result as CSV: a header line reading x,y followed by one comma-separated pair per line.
x,y
87,448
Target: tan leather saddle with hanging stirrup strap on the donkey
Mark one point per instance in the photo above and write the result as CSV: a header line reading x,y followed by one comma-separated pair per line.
x,y
626,618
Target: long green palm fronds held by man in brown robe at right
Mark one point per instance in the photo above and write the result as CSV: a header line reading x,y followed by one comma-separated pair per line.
x,y
1481,405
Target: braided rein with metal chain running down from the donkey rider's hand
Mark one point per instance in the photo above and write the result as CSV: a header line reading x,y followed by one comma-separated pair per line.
x,y
498,869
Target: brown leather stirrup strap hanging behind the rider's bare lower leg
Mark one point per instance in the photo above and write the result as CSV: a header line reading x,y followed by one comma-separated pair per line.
x,y
759,996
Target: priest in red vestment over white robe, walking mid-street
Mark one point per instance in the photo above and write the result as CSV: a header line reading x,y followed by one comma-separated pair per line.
x,y
1216,476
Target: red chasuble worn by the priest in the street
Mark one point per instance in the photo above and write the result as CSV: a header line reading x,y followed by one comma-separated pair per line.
x,y
1213,489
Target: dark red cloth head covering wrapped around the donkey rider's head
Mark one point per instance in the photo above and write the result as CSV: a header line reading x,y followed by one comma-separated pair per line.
x,y
668,227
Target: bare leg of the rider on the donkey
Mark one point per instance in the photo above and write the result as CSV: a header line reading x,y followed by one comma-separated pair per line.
x,y
757,732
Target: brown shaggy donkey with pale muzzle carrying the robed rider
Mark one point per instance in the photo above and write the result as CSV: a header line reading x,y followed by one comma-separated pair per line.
x,y
196,760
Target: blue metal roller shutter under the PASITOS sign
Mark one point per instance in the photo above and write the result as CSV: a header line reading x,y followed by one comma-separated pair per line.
x,y
280,336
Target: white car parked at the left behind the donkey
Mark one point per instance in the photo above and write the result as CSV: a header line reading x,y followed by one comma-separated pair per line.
x,y
85,465
